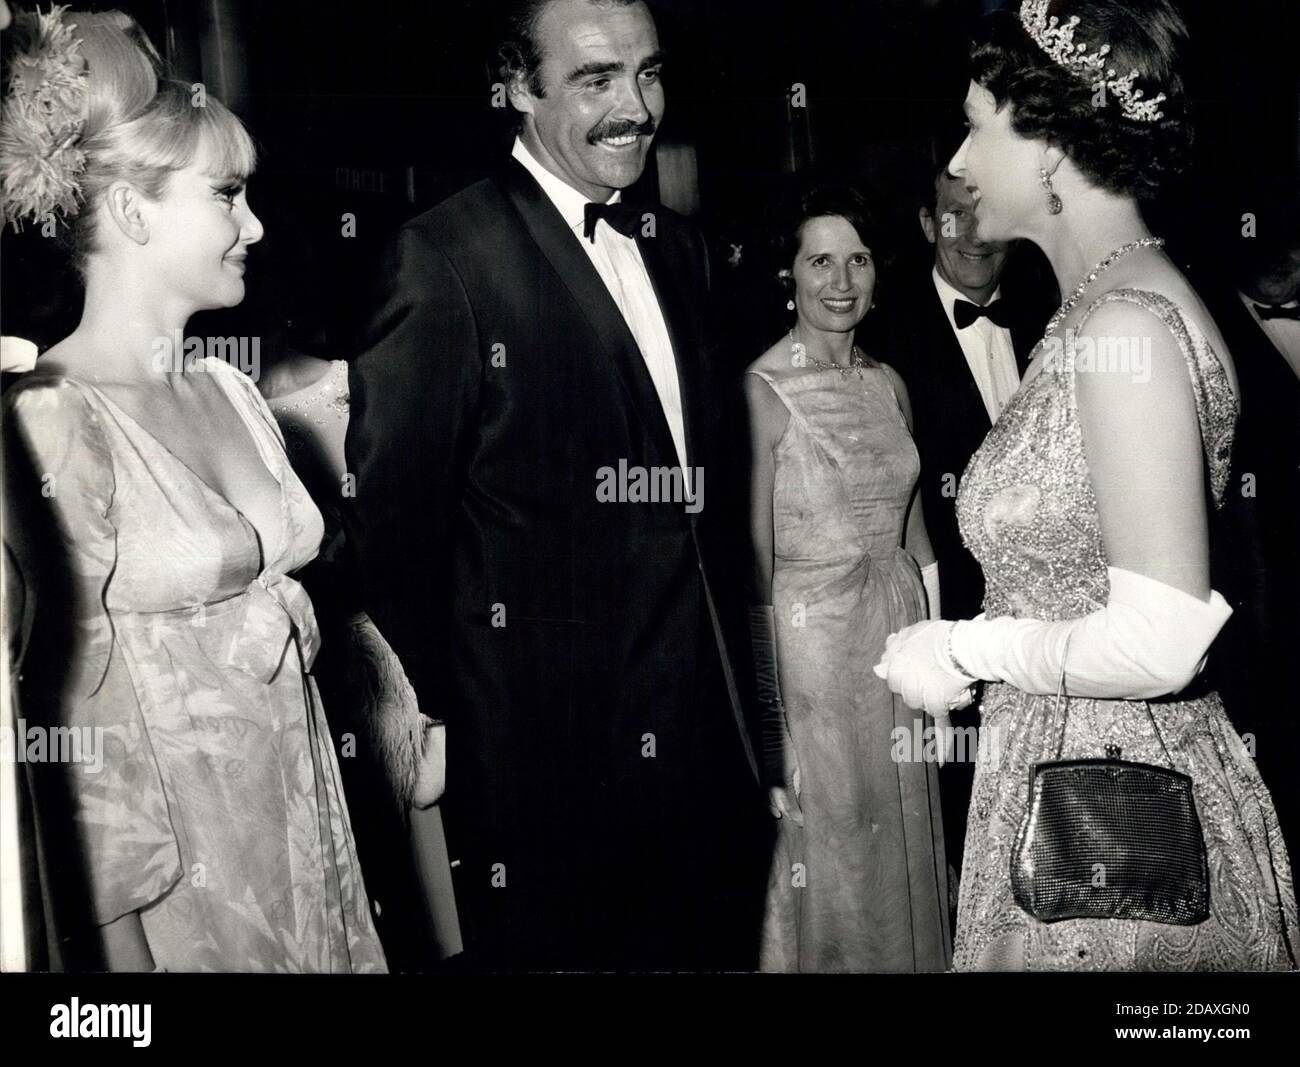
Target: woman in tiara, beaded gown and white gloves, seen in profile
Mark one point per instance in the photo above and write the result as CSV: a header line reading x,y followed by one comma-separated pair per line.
x,y
1087,508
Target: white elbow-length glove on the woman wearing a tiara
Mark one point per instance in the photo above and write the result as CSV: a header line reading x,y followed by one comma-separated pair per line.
x,y
1150,640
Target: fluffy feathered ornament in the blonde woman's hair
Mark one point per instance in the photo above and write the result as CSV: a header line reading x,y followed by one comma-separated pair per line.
x,y
42,120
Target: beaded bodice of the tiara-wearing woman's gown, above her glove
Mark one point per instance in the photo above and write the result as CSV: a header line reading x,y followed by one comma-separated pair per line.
x,y
1026,505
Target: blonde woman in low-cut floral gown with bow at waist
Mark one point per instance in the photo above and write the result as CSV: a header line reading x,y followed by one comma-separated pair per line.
x,y
163,522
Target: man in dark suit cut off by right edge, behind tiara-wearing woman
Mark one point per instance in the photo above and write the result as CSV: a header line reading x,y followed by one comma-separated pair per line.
x,y
1258,533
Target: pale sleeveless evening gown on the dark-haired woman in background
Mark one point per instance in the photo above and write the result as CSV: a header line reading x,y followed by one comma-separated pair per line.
x,y
864,886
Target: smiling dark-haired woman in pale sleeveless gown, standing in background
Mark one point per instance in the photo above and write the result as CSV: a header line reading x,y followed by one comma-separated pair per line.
x,y
859,879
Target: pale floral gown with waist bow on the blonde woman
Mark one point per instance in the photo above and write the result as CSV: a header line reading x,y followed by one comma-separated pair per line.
x,y
216,813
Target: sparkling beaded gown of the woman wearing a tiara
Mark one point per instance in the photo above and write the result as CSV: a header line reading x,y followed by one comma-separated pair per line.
x,y
1029,514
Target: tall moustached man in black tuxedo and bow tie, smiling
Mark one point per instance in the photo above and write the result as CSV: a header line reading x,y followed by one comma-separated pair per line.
x,y
532,389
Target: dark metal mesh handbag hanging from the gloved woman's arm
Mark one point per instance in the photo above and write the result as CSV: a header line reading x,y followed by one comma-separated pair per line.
x,y
1108,839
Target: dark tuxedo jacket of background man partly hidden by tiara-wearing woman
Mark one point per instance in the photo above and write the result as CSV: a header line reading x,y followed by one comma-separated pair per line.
x,y
915,336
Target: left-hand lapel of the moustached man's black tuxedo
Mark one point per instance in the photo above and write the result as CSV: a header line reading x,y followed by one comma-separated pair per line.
x,y
560,245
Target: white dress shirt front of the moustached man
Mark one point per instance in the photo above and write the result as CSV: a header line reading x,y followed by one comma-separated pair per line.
x,y
618,262
